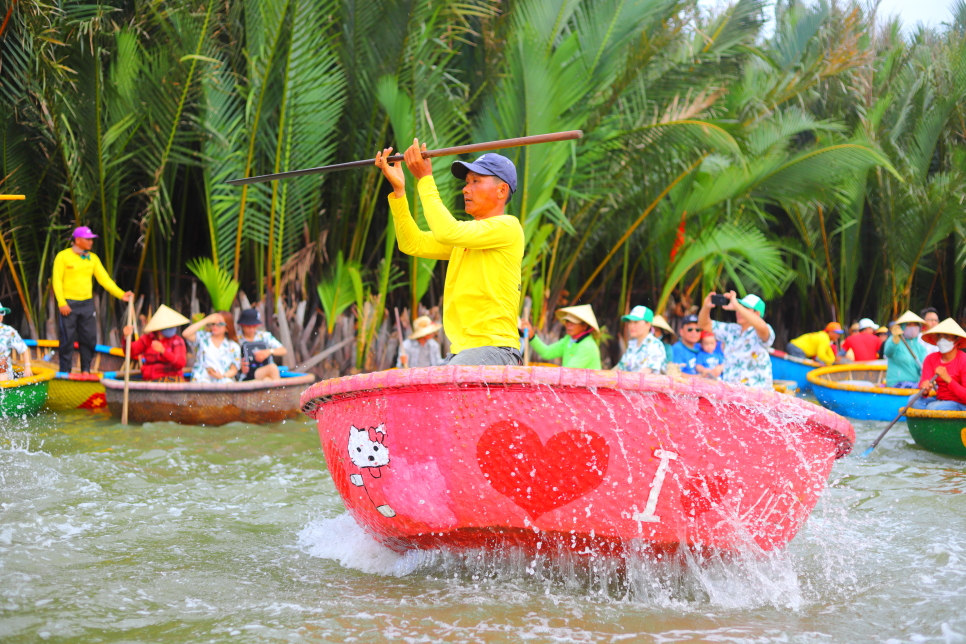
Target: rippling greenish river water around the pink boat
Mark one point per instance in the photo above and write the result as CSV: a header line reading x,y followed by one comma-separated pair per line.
x,y
165,533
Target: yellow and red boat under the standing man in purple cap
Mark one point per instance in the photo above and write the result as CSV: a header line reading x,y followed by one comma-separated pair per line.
x,y
72,390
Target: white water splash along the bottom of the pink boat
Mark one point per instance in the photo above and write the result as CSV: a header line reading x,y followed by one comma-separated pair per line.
x,y
686,581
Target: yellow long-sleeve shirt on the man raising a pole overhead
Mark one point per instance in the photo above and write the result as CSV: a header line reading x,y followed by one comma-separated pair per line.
x,y
482,291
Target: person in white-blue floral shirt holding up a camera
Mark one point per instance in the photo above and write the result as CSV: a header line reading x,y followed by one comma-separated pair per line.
x,y
746,342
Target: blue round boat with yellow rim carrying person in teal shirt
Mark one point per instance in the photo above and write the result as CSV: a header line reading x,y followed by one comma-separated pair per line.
x,y
857,390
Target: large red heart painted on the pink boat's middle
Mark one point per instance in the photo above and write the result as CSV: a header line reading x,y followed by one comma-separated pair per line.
x,y
539,477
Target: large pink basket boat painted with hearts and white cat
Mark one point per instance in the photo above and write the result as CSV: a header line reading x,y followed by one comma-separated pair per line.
x,y
471,457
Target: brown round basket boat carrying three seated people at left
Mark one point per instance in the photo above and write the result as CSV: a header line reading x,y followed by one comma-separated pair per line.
x,y
189,403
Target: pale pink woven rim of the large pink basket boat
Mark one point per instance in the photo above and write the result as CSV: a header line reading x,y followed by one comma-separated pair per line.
x,y
449,377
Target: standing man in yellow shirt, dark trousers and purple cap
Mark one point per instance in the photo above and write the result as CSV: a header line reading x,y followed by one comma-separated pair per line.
x,y
73,288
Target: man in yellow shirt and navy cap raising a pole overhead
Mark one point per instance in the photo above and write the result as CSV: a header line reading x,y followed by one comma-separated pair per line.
x,y
481,296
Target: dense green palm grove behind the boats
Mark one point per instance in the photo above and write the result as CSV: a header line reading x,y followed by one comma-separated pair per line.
x,y
818,159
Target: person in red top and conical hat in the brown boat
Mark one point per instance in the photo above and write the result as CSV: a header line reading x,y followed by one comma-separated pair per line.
x,y
162,351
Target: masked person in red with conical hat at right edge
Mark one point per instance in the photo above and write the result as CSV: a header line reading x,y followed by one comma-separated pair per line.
x,y
948,364
